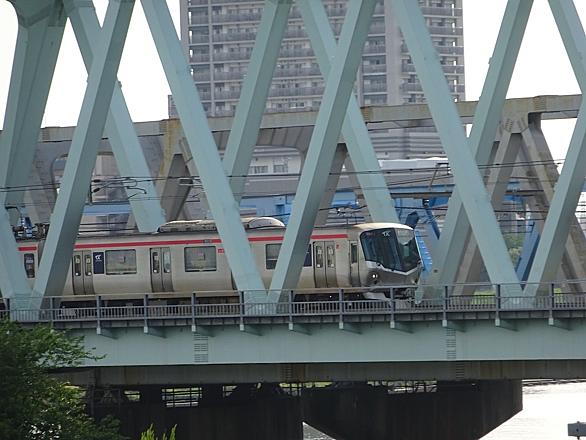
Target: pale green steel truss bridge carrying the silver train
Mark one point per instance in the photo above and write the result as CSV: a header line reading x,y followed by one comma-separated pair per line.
x,y
517,332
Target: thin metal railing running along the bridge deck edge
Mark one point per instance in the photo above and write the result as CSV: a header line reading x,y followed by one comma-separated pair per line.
x,y
555,302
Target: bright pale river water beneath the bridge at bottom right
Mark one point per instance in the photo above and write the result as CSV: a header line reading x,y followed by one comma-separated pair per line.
x,y
547,410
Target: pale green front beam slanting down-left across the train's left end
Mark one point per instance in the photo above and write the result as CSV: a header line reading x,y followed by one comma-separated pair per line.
x,y
83,152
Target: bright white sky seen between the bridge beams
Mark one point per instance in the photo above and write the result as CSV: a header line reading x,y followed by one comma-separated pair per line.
x,y
542,67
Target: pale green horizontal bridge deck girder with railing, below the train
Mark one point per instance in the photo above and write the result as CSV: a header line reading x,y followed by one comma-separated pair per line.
x,y
454,338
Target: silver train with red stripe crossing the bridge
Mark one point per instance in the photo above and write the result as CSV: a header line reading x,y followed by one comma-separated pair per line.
x,y
188,256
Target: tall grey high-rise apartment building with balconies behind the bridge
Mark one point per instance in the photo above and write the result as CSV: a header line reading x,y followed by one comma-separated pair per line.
x,y
218,37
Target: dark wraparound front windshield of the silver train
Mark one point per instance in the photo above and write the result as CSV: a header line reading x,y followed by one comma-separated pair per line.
x,y
394,249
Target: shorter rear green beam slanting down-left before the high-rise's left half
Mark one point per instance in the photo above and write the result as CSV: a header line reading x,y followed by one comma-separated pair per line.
x,y
254,93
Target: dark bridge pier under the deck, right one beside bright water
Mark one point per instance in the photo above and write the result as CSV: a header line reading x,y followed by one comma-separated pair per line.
x,y
456,411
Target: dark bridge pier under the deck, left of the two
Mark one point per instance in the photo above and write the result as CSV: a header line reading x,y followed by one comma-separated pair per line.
x,y
248,412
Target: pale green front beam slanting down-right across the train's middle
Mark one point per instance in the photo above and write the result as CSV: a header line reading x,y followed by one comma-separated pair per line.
x,y
204,152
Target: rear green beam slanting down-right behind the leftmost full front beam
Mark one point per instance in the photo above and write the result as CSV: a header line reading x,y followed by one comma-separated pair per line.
x,y
119,128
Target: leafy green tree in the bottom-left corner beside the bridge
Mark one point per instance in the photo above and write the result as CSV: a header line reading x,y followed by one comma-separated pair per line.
x,y
34,405
